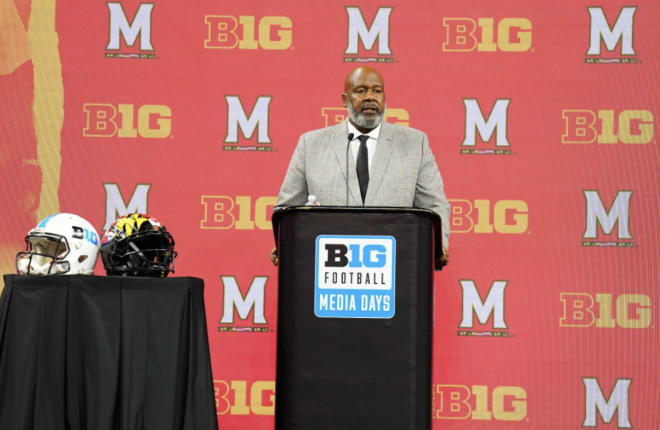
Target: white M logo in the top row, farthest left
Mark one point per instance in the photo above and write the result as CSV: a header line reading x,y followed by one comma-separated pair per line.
x,y
128,31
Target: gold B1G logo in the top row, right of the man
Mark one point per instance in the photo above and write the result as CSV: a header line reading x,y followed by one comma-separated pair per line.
x,y
480,34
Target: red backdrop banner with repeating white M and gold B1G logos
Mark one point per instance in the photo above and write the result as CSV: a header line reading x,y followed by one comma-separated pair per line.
x,y
541,117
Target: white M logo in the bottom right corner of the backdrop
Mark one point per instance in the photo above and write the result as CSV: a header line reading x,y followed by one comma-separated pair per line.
x,y
597,405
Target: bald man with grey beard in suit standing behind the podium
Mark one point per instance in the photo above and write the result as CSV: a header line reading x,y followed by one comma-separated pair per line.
x,y
388,165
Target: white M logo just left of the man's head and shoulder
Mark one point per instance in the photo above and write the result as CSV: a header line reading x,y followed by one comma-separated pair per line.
x,y
256,120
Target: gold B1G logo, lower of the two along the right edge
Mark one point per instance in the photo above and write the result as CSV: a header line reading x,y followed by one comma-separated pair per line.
x,y
605,310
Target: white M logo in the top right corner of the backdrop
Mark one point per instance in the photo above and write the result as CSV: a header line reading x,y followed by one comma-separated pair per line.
x,y
619,35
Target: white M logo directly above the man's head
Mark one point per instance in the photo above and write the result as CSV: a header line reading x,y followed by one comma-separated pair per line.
x,y
359,33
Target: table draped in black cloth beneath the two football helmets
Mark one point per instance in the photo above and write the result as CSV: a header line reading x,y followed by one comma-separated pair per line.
x,y
104,353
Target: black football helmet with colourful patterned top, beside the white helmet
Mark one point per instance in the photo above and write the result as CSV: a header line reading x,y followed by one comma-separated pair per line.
x,y
138,245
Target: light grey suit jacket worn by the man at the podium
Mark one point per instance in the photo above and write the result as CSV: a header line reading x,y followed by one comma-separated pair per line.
x,y
403,172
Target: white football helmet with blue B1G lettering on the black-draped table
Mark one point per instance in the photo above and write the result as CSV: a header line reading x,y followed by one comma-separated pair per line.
x,y
60,244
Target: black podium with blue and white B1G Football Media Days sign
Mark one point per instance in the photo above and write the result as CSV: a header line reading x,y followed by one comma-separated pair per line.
x,y
354,345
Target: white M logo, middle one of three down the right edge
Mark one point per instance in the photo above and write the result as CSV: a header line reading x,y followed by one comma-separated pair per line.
x,y
598,216
